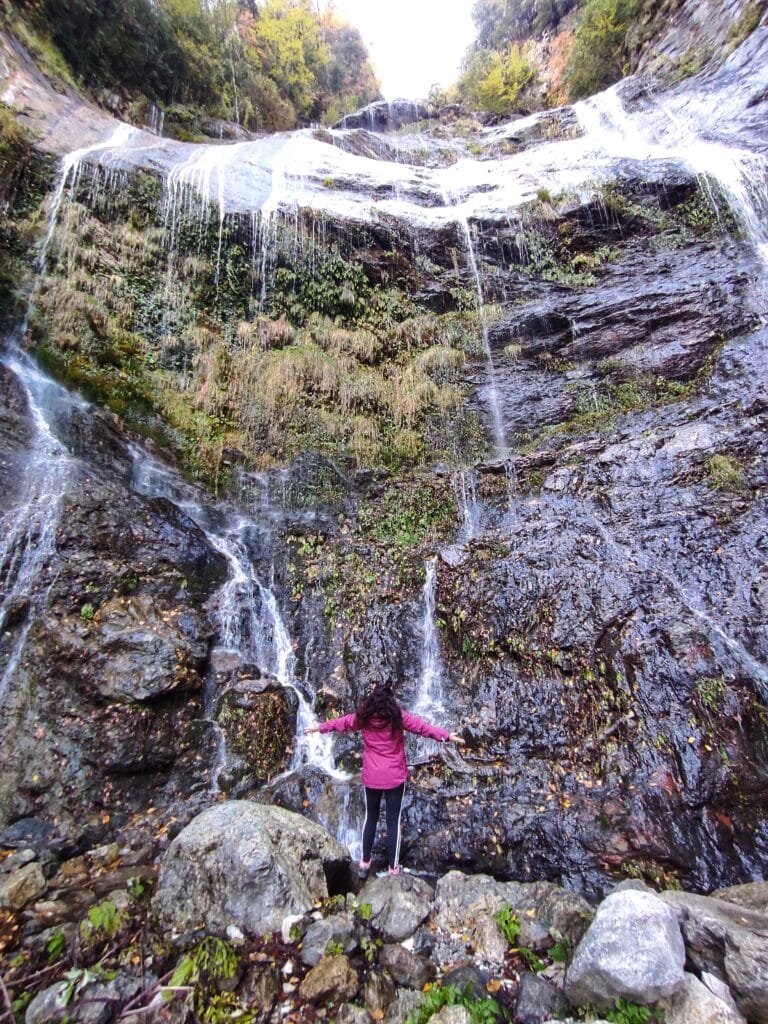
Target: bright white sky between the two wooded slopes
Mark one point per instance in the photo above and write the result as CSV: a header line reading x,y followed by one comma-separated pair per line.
x,y
414,44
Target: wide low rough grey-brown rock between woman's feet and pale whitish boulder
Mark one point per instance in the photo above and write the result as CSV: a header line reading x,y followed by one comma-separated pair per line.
x,y
547,913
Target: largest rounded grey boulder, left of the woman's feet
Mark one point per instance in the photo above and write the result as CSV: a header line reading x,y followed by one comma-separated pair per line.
x,y
245,865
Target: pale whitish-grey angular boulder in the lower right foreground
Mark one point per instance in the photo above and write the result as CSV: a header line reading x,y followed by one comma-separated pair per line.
x,y
633,950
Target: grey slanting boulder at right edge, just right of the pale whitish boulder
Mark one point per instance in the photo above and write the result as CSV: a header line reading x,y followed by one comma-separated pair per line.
x,y
731,943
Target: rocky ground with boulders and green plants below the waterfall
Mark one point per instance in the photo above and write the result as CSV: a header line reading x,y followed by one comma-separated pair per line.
x,y
259,915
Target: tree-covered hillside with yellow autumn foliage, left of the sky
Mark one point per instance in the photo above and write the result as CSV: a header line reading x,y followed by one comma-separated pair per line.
x,y
261,67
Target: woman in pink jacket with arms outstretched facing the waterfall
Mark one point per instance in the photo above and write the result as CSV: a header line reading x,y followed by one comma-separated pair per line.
x,y
382,722
